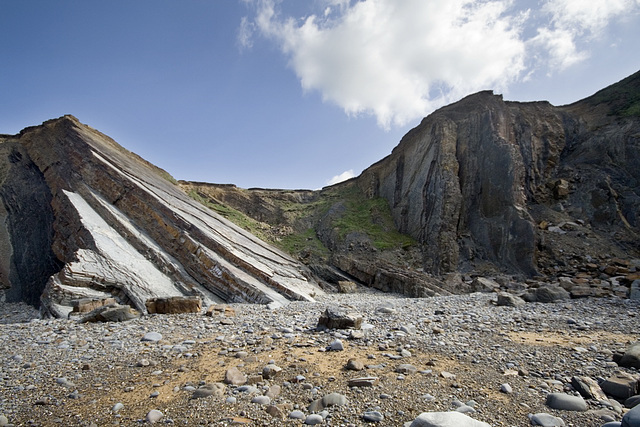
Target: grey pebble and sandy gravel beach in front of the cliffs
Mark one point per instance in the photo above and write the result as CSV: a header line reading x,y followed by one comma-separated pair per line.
x,y
463,349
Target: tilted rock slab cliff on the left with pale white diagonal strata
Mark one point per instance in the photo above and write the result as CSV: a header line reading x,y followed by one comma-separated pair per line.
x,y
82,217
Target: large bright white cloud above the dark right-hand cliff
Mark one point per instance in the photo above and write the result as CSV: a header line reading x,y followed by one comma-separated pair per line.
x,y
398,60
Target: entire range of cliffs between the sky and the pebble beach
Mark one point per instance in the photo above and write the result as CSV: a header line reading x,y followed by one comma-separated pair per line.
x,y
480,186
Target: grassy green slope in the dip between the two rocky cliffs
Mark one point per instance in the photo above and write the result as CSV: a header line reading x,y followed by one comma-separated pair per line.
x,y
292,223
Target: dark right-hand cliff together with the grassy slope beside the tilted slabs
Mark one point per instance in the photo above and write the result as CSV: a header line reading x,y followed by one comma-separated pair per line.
x,y
483,186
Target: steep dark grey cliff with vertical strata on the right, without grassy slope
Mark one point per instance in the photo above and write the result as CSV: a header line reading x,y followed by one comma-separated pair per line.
x,y
474,180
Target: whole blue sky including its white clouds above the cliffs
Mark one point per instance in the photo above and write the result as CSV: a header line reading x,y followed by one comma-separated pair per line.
x,y
292,94
